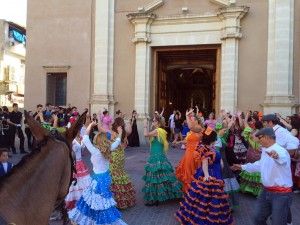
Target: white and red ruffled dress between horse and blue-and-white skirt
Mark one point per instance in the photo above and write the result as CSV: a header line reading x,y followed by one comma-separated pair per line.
x,y
83,179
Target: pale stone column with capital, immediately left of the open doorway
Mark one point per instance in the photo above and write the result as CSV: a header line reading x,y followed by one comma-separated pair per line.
x,y
142,23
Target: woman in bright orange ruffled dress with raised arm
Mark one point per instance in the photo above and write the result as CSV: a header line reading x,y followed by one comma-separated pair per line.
x,y
188,164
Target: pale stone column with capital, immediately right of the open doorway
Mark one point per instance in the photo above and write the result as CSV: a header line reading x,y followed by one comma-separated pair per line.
x,y
230,35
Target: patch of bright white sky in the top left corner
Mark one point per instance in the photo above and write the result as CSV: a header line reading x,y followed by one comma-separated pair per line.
x,y
14,11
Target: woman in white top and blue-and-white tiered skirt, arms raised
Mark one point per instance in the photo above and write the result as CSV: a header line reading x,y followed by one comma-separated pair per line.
x,y
96,205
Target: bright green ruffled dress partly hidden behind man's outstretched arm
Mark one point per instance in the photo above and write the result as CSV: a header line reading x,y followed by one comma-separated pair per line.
x,y
251,182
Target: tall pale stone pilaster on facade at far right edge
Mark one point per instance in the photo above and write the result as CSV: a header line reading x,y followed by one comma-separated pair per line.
x,y
279,95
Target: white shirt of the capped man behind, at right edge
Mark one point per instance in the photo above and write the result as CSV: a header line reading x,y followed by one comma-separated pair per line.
x,y
285,139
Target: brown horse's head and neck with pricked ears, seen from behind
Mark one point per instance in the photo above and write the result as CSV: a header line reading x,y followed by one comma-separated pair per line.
x,y
39,183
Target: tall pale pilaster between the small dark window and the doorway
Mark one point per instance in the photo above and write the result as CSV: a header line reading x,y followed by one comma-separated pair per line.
x,y
102,79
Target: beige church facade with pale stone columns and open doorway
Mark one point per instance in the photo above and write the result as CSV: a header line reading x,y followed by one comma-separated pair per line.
x,y
150,54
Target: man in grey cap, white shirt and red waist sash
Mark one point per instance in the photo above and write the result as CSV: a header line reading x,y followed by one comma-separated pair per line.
x,y
274,166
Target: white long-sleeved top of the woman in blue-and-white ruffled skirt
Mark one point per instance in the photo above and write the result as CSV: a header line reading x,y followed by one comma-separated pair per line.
x,y
100,163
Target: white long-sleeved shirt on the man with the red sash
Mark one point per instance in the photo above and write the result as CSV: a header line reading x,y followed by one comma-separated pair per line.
x,y
274,172
